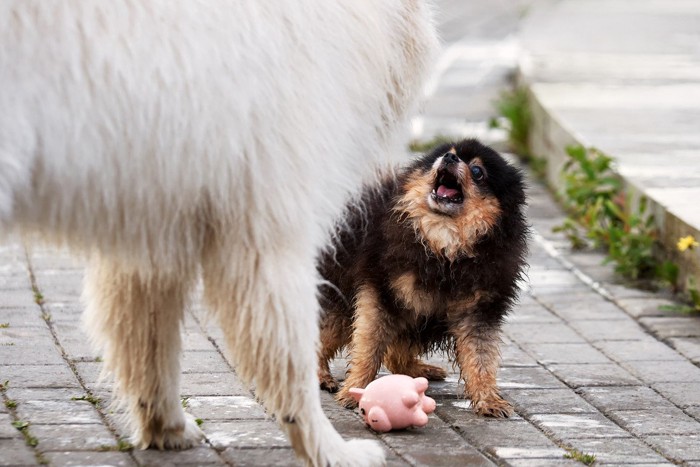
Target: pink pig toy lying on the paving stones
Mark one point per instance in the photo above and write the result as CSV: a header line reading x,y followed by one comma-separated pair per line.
x,y
394,402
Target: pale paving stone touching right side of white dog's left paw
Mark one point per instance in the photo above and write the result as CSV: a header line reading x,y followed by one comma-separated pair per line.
x,y
245,434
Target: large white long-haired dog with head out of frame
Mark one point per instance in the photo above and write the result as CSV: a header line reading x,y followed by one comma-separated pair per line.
x,y
173,139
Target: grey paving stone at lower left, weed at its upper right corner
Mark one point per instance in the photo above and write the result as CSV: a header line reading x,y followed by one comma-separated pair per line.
x,y
58,412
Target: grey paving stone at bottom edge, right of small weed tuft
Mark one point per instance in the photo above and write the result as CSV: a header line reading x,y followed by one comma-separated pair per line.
x,y
618,450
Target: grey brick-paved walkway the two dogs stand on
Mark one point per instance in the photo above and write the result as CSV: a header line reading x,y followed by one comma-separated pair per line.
x,y
589,364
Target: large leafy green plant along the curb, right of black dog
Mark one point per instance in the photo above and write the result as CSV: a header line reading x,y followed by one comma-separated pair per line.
x,y
602,215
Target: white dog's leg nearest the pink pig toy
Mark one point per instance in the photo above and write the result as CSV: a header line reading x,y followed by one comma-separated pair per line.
x,y
267,306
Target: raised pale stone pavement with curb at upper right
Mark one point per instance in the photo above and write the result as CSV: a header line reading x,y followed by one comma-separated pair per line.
x,y
623,76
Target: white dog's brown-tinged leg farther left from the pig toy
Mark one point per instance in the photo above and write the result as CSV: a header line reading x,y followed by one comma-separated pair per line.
x,y
135,319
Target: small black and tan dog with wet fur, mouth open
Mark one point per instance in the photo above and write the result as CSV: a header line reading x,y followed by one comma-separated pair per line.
x,y
427,260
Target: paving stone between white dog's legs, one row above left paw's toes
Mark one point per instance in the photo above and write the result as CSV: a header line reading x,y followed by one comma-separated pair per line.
x,y
225,408
